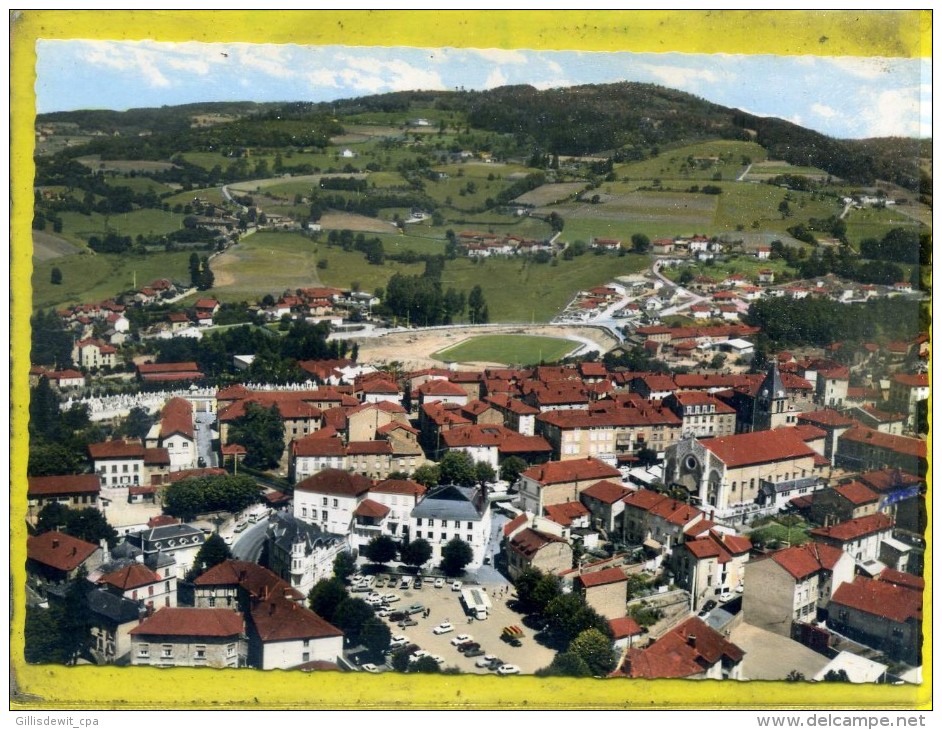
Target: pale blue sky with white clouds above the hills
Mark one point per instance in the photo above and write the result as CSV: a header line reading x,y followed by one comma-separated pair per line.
x,y
843,97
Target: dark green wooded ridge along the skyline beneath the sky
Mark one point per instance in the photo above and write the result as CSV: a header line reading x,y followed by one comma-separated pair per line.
x,y
622,120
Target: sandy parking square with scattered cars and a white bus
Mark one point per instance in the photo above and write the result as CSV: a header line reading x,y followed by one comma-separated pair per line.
x,y
445,605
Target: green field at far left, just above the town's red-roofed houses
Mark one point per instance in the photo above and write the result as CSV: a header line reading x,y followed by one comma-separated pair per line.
x,y
94,277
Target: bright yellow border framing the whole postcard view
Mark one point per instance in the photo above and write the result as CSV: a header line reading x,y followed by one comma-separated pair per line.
x,y
833,33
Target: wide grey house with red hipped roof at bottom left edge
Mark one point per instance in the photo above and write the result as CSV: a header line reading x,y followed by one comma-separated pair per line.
x,y
190,637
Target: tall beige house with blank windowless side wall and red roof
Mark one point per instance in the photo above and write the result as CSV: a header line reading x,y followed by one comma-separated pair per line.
x,y
792,585
